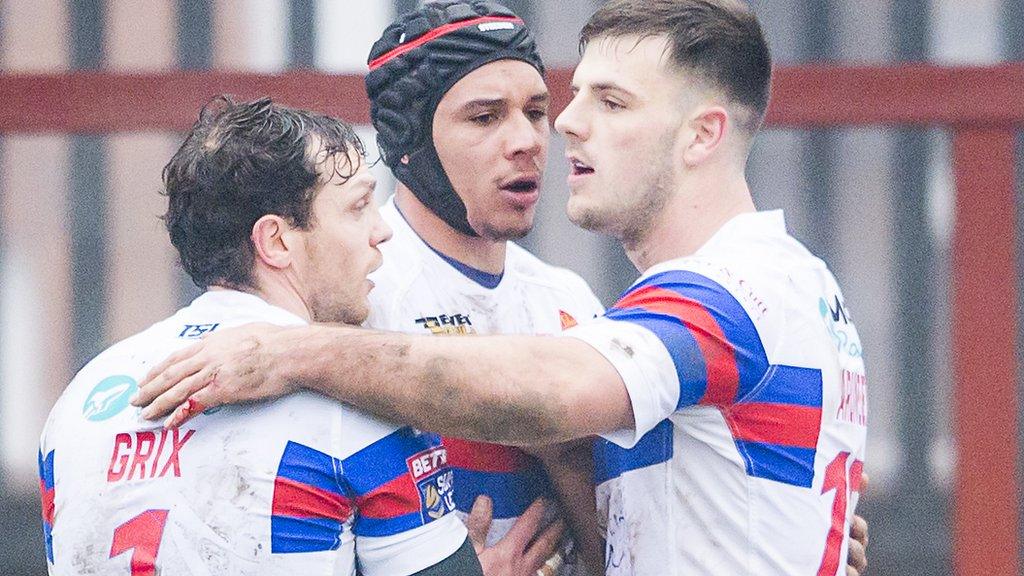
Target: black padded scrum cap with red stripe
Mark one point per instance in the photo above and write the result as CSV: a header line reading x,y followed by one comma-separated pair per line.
x,y
417,60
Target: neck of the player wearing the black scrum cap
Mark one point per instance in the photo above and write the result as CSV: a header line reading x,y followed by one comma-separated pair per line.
x,y
481,254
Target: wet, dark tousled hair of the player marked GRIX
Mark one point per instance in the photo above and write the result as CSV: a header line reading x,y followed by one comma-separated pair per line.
x,y
240,162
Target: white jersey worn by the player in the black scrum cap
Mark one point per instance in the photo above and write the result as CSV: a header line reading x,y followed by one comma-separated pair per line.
x,y
420,292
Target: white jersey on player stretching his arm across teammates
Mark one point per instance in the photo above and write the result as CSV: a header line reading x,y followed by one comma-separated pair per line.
x,y
746,377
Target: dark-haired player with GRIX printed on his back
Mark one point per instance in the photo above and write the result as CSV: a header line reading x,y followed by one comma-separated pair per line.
x,y
272,212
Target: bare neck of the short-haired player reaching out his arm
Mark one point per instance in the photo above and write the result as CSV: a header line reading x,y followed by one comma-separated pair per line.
x,y
694,215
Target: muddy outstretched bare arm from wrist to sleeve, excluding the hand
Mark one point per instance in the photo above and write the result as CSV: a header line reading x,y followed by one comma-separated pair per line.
x,y
497,389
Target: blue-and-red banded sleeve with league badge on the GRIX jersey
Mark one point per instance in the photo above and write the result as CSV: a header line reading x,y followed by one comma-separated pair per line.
x,y
403,489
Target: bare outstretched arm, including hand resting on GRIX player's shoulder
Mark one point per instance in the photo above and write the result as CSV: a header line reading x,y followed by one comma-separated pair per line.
x,y
510,390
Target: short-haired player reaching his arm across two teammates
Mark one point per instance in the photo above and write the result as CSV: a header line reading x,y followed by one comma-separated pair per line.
x,y
734,415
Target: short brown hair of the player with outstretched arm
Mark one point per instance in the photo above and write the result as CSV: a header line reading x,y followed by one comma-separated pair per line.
x,y
720,40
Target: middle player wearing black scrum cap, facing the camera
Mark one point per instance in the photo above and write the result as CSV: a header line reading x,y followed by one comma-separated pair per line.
x,y
462,121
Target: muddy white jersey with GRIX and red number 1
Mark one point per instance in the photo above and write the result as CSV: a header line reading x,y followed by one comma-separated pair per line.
x,y
301,485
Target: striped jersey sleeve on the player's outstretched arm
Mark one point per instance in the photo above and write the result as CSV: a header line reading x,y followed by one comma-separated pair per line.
x,y
677,339
